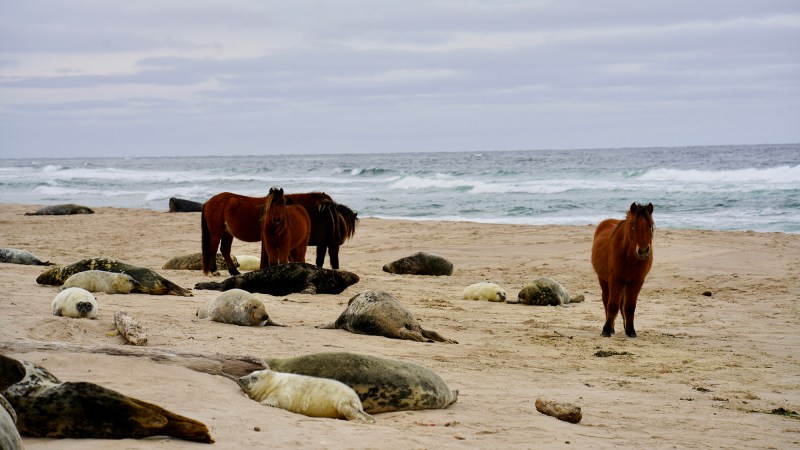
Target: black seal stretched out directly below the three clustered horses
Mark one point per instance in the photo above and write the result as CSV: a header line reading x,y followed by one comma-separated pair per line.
x,y
285,279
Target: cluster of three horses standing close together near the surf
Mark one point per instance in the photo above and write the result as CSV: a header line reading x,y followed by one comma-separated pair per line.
x,y
285,224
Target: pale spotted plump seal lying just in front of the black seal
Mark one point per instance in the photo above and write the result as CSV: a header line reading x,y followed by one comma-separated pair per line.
x,y
237,307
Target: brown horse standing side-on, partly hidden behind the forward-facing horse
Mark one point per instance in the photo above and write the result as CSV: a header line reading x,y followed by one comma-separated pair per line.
x,y
227,215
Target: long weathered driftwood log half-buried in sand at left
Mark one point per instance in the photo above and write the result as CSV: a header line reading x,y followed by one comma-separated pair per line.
x,y
229,366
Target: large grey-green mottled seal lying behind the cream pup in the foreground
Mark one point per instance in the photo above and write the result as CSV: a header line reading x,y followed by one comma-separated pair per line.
x,y
382,384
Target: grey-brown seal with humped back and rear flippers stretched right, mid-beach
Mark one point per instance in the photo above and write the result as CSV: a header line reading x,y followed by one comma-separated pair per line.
x,y
379,313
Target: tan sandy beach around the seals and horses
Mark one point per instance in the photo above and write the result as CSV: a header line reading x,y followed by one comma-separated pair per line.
x,y
704,372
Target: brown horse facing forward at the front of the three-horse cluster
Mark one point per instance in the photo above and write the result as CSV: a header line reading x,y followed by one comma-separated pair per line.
x,y
284,230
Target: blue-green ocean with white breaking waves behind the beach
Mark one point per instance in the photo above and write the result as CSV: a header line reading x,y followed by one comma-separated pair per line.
x,y
753,187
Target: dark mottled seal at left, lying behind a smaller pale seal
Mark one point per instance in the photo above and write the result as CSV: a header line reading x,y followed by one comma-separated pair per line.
x,y
151,282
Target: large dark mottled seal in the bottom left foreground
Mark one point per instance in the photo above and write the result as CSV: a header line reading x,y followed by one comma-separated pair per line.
x,y
48,408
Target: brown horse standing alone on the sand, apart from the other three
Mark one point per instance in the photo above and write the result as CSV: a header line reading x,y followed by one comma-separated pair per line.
x,y
622,254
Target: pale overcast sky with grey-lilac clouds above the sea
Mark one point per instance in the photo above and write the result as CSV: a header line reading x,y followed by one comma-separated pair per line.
x,y
204,77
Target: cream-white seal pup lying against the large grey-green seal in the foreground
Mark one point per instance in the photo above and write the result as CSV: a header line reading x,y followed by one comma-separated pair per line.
x,y
302,394
